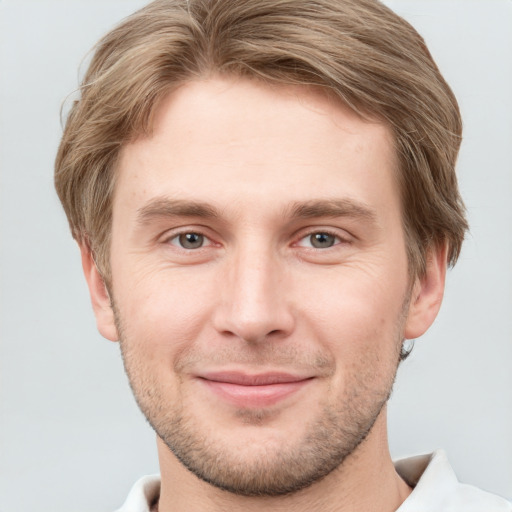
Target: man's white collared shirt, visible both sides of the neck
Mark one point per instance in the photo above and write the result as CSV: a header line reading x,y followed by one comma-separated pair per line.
x,y
436,489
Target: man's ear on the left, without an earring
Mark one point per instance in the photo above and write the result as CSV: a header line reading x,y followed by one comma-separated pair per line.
x,y
100,298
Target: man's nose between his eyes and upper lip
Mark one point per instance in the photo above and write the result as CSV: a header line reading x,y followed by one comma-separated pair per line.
x,y
254,303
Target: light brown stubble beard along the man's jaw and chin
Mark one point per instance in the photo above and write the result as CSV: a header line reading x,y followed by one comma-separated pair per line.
x,y
327,442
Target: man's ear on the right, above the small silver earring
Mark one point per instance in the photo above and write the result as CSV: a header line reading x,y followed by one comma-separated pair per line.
x,y
427,294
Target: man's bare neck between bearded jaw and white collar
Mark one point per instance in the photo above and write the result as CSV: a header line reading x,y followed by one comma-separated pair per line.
x,y
364,482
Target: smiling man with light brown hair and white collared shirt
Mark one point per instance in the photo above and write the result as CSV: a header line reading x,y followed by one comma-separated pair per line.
x,y
265,201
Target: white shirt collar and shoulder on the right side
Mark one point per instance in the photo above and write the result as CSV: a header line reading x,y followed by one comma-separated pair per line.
x,y
436,488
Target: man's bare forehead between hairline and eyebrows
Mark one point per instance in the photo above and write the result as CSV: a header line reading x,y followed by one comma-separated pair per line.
x,y
238,141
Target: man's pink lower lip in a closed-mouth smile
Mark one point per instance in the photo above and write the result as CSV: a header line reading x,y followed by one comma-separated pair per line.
x,y
255,396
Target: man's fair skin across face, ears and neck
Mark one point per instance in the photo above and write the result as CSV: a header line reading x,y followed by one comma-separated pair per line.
x,y
263,173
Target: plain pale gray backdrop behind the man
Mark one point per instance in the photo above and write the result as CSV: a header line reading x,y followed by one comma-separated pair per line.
x,y
71,437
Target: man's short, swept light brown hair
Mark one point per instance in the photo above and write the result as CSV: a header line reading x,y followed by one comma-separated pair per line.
x,y
359,50
